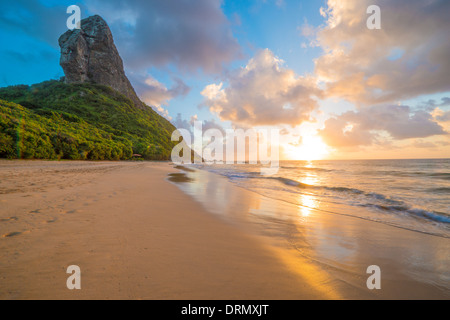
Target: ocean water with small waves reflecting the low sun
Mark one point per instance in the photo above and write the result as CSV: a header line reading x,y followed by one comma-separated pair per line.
x,y
408,194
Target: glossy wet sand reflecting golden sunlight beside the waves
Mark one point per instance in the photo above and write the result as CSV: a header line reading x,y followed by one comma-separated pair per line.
x,y
340,246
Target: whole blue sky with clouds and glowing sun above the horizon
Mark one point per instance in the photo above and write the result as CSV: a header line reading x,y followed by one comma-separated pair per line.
x,y
312,69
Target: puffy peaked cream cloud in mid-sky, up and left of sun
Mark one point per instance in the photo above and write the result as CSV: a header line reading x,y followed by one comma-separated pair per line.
x,y
264,92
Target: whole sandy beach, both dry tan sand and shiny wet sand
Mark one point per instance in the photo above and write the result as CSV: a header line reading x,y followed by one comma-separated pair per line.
x,y
136,235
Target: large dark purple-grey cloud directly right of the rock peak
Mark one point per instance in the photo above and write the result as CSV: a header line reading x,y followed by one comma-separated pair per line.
x,y
189,34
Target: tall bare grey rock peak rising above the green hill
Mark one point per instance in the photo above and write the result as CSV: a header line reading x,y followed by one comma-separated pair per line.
x,y
90,55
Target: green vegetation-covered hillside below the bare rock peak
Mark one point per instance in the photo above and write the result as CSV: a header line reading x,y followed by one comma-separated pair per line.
x,y
54,120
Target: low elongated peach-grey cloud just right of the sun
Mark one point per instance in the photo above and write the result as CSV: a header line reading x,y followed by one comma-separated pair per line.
x,y
370,126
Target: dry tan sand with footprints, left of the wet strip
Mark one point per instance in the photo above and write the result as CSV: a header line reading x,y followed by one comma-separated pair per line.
x,y
133,234
